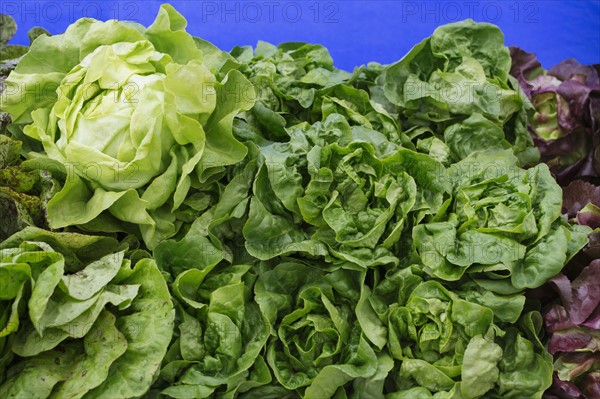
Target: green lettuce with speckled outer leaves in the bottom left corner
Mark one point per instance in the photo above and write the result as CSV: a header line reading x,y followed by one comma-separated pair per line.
x,y
78,318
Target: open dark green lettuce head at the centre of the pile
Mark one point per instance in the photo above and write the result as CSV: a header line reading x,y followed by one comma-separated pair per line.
x,y
339,190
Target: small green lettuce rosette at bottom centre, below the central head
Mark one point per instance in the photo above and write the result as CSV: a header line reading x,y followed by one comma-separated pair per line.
x,y
318,345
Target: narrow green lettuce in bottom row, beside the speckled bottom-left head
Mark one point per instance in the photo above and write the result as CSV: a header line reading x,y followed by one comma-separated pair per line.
x,y
222,332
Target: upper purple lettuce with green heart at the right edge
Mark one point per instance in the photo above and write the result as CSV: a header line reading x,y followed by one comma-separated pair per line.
x,y
565,125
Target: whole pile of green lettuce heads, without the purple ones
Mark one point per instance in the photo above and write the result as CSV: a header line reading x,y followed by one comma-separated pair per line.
x,y
305,232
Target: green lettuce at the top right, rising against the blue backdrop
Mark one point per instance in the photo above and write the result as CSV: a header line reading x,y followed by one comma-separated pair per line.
x,y
458,80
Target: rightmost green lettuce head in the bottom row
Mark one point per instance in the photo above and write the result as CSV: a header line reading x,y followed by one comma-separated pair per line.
x,y
451,344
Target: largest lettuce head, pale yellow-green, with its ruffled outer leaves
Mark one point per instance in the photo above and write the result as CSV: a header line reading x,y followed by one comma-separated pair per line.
x,y
136,116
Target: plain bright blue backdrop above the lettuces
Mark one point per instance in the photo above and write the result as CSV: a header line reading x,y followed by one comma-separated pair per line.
x,y
355,32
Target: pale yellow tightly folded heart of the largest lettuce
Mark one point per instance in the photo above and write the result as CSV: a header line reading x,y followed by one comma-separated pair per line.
x,y
124,118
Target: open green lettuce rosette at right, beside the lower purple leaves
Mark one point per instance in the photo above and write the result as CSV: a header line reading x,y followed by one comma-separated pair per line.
x,y
502,225
